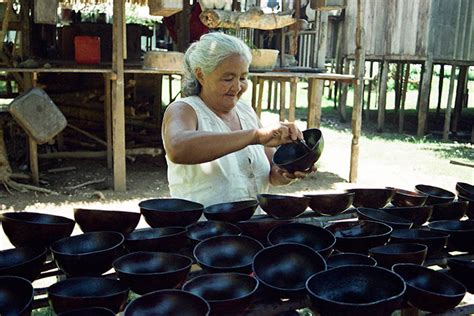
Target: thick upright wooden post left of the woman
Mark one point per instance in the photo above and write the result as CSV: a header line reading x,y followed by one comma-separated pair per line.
x,y
118,98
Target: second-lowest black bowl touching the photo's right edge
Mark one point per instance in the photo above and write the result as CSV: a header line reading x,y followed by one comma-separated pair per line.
x,y
461,233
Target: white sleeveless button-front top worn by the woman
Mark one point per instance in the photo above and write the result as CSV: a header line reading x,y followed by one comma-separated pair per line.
x,y
234,177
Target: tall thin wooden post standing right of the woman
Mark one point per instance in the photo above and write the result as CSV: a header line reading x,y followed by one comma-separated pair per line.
x,y
358,91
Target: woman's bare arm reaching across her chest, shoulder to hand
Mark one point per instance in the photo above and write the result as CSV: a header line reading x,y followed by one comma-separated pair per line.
x,y
184,144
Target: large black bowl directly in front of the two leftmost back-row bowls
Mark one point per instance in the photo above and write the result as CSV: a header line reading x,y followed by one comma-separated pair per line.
x,y
89,254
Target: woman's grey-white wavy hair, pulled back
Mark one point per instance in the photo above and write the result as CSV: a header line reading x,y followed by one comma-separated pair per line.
x,y
207,54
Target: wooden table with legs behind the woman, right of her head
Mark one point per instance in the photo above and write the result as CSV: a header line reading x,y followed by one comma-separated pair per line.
x,y
315,91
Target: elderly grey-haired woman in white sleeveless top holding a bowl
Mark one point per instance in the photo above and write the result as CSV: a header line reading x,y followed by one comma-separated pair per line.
x,y
216,149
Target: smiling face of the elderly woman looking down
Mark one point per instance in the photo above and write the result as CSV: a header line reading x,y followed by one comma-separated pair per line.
x,y
223,87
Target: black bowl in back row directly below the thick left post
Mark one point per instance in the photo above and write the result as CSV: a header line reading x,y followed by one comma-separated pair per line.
x,y
93,220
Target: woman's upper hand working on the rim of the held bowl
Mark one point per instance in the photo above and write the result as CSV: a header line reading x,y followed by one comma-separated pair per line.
x,y
282,134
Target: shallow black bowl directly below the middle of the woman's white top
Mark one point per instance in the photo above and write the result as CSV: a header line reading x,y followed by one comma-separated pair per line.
x,y
231,211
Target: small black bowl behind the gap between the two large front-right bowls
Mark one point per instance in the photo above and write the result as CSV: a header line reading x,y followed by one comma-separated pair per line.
x,y
388,255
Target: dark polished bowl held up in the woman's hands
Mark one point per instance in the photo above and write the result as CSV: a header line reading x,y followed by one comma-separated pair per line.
x,y
298,157
